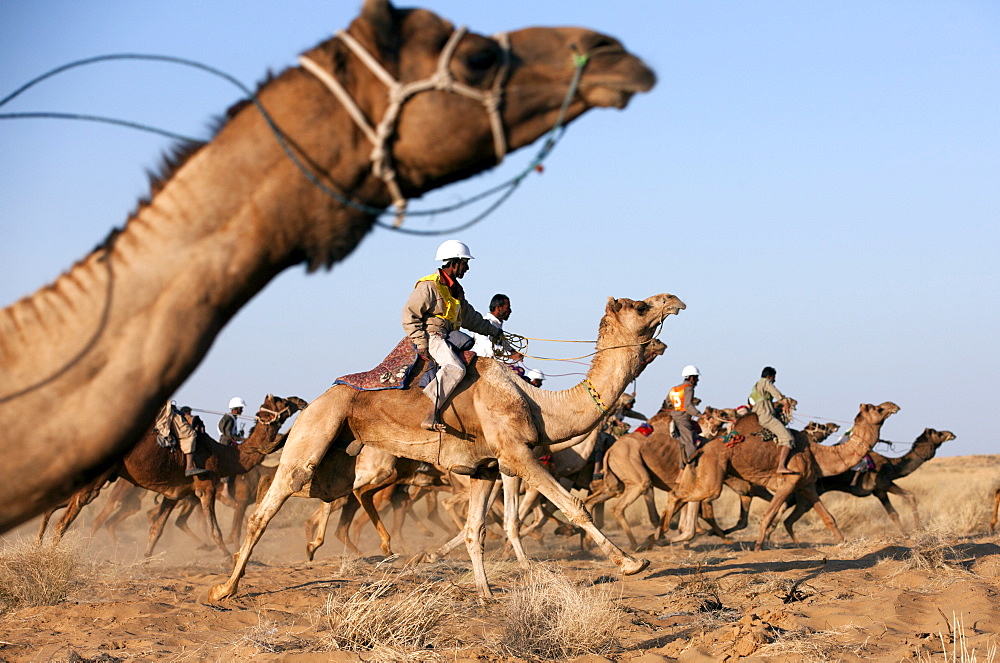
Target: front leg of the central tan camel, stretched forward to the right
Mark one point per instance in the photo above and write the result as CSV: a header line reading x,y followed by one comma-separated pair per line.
x,y
520,458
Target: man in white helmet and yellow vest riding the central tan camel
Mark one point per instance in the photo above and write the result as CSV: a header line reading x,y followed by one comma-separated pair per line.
x,y
435,309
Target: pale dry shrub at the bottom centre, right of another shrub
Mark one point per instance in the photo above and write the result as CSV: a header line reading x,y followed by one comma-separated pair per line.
x,y
551,618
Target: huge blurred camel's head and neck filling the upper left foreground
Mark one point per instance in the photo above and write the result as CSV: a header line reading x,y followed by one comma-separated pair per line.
x,y
302,184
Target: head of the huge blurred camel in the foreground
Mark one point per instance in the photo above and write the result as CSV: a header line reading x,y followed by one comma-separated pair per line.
x,y
445,136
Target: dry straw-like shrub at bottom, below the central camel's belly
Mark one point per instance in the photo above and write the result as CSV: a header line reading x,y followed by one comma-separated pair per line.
x,y
382,616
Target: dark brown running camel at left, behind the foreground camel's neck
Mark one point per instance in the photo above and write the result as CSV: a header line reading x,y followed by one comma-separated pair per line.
x,y
161,469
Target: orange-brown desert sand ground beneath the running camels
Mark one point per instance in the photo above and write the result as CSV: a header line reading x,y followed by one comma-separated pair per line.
x,y
879,596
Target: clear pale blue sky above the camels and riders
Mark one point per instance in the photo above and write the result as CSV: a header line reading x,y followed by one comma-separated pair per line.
x,y
819,182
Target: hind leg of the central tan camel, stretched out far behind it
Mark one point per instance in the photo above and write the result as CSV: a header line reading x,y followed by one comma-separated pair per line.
x,y
308,441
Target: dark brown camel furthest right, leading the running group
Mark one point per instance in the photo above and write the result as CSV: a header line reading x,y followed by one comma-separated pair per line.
x,y
881,480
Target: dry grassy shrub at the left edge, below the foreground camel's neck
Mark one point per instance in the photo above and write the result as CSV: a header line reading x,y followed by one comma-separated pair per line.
x,y
36,575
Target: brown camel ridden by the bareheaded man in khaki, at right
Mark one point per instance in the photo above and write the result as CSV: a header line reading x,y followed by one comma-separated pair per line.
x,y
755,461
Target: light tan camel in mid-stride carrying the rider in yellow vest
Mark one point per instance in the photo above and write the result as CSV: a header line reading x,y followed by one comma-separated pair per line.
x,y
492,421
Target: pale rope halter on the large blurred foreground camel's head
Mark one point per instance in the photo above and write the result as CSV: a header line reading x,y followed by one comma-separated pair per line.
x,y
399,94
